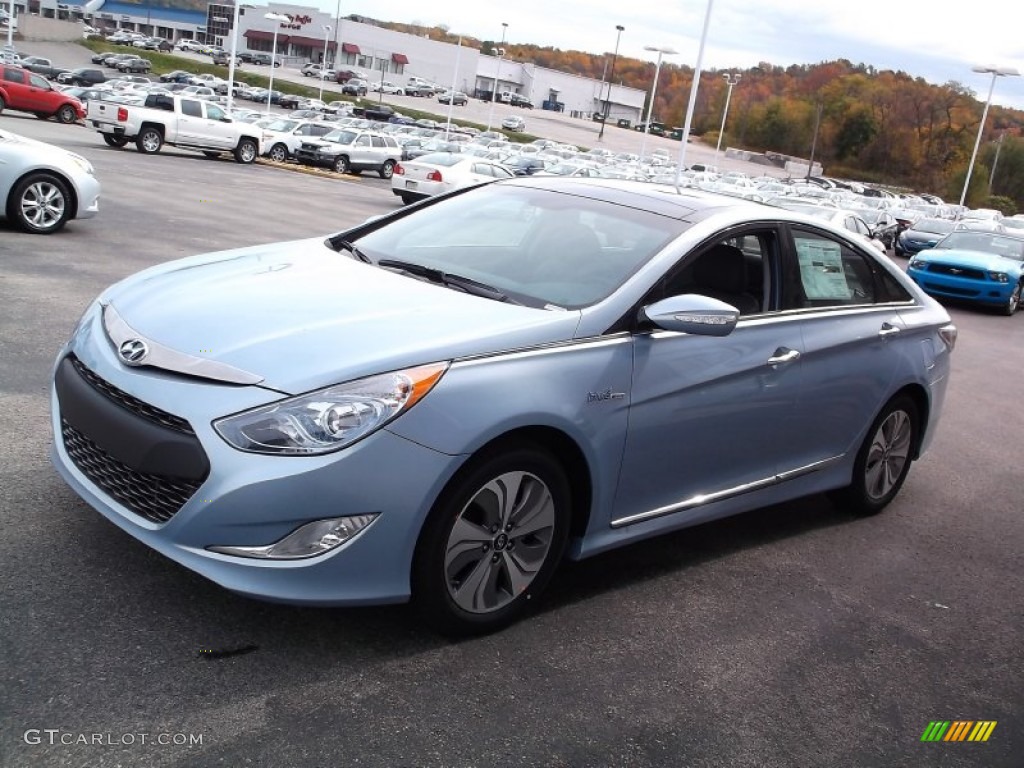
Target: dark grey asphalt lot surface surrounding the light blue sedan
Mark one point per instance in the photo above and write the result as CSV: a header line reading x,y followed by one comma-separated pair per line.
x,y
790,636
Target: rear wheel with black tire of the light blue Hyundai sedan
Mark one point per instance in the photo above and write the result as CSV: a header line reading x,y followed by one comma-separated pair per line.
x,y
884,459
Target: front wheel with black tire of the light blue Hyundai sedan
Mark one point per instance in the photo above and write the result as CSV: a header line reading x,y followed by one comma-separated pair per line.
x,y
488,501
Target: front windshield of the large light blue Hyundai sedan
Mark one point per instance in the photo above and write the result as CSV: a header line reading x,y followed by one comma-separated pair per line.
x,y
541,248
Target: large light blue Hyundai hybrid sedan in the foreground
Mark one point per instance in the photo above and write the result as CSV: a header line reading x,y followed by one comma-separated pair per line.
x,y
443,404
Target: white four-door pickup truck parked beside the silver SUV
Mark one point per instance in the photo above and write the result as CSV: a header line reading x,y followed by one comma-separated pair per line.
x,y
180,121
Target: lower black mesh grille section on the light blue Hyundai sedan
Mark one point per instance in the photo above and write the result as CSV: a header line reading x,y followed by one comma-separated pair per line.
x,y
156,498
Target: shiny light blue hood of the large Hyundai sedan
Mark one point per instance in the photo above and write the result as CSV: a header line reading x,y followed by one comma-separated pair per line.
x,y
303,317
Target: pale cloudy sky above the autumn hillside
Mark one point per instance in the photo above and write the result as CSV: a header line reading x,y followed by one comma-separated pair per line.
x,y
937,40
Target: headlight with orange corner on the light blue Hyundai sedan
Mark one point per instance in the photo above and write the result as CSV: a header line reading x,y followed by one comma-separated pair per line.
x,y
329,419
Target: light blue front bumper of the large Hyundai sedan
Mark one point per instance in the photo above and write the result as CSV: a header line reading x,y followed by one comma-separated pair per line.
x,y
243,499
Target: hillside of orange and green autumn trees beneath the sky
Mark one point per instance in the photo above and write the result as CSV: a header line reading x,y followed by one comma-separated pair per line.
x,y
880,126
